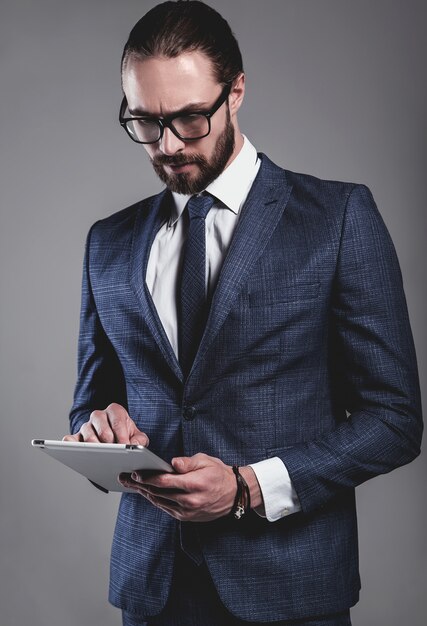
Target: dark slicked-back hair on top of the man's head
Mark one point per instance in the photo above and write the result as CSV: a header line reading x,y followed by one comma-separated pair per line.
x,y
171,28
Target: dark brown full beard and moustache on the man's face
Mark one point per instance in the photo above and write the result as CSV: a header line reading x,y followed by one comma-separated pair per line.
x,y
209,170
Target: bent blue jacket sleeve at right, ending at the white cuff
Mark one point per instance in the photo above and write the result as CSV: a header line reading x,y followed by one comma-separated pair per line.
x,y
374,367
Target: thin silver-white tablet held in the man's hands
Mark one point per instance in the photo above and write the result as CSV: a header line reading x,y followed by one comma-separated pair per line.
x,y
102,463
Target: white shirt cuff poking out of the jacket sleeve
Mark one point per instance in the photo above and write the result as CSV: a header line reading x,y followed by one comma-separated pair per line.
x,y
279,495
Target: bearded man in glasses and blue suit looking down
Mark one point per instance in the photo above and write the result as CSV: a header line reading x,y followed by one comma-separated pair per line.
x,y
248,323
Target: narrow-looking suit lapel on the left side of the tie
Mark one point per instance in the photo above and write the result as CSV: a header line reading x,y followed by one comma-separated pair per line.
x,y
154,211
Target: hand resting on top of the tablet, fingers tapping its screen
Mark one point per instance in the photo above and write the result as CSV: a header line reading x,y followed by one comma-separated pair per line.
x,y
113,425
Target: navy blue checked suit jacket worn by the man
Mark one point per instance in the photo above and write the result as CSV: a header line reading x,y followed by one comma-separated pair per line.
x,y
307,355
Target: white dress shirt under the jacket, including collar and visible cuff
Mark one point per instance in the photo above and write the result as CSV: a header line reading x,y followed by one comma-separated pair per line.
x,y
230,190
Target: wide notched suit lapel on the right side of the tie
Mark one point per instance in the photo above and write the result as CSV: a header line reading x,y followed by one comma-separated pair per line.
x,y
260,215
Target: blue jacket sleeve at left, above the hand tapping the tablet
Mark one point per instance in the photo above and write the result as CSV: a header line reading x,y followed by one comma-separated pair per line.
x,y
100,379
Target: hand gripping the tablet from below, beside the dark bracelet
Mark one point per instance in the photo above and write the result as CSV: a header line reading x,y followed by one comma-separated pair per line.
x,y
202,489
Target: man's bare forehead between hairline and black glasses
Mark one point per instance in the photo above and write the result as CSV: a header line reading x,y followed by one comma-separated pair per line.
x,y
162,85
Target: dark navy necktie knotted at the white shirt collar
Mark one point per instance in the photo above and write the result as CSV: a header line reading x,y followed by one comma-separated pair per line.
x,y
193,301
